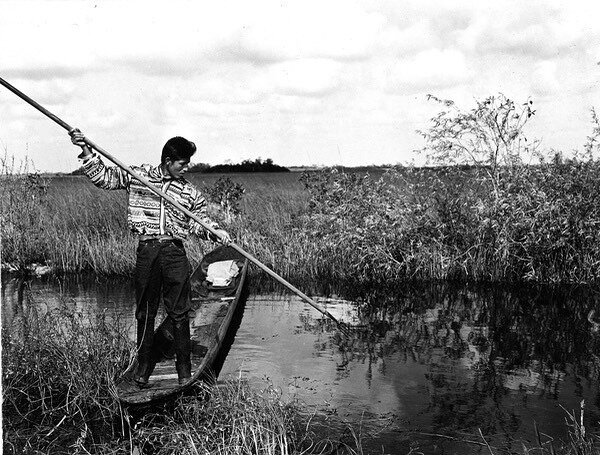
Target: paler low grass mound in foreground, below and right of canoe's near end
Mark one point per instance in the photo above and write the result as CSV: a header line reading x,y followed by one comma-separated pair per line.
x,y
234,419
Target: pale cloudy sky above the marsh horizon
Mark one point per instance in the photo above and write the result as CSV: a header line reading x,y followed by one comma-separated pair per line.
x,y
301,82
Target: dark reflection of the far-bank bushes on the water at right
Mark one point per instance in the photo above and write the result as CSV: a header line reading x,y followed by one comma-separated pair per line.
x,y
490,329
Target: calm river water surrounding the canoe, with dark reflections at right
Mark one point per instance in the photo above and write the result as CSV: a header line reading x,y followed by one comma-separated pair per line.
x,y
437,363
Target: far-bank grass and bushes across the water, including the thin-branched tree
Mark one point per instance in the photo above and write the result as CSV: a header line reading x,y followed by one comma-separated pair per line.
x,y
480,212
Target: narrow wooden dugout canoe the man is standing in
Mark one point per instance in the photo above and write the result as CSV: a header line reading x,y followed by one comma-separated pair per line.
x,y
213,310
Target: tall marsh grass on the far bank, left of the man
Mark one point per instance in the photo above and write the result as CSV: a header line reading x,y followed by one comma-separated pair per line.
x,y
69,228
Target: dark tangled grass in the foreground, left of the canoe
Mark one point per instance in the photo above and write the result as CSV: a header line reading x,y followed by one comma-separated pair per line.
x,y
58,371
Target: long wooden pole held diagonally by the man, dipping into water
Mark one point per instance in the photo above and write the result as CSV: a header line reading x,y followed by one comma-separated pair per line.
x,y
172,201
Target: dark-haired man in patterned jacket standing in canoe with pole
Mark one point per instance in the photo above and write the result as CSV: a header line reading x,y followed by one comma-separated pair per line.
x,y
162,267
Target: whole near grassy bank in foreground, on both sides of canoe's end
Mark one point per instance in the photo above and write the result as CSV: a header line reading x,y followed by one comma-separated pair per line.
x,y
58,374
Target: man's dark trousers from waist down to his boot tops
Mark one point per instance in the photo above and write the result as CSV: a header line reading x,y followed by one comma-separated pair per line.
x,y
162,270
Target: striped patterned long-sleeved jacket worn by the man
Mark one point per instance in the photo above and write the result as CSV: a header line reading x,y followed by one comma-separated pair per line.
x,y
147,213
